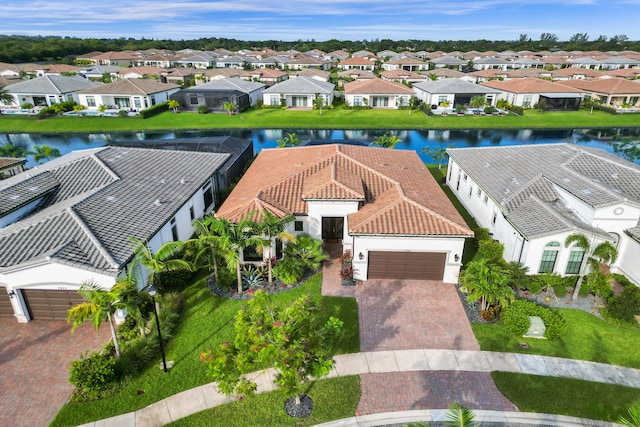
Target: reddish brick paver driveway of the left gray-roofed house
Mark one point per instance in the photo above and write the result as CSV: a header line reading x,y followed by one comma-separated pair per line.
x,y
34,358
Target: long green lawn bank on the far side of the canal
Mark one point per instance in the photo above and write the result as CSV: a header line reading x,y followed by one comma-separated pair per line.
x,y
338,118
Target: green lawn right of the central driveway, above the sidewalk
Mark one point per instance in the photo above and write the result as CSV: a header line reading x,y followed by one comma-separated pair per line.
x,y
587,338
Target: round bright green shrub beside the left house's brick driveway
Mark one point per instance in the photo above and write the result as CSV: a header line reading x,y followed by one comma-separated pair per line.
x,y
93,375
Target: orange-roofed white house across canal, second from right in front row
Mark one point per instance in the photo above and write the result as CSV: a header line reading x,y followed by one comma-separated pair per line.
x,y
528,92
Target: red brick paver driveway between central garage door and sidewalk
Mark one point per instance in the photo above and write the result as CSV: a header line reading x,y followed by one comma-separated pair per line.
x,y
412,314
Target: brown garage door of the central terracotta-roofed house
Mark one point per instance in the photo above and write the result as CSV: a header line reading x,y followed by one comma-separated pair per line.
x,y
406,265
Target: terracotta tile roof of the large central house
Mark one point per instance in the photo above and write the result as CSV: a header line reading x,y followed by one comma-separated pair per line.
x,y
398,193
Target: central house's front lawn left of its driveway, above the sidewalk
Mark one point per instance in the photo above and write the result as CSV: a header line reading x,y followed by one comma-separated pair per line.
x,y
206,321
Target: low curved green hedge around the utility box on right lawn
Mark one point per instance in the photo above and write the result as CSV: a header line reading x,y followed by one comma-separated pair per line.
x,y
516,319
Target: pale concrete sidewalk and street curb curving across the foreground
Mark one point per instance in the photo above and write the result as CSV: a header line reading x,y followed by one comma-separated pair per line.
x,y
207,396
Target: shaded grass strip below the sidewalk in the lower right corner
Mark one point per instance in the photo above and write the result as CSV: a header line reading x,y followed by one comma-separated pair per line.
x,y
562,396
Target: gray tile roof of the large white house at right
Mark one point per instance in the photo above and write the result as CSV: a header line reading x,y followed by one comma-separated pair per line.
x,y
525,181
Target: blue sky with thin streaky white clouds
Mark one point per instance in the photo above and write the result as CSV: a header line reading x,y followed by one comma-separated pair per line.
x,y
321,19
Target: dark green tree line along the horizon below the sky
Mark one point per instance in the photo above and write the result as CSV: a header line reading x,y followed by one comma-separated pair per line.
x,y
19,48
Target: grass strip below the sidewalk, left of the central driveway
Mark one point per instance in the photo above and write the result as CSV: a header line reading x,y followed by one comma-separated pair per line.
x,y
333,399
